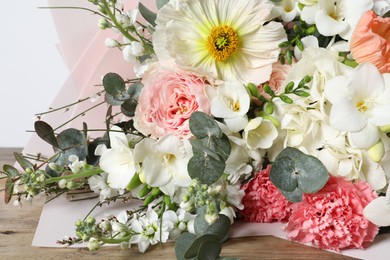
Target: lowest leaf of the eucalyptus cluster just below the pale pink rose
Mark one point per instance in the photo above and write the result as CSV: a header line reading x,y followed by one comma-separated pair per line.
x,y
205,168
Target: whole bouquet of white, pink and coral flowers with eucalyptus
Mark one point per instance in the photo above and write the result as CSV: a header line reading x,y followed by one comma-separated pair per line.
x,y
256,110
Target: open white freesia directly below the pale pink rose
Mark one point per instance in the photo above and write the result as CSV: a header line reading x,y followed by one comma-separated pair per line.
x,y
164,162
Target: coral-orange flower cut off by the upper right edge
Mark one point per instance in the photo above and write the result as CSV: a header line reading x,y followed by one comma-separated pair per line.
x,y
370,42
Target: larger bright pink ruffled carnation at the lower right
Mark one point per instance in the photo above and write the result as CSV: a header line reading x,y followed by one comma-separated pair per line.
x,y
333,217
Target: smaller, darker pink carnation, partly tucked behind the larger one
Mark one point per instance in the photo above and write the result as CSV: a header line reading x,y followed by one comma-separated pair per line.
x,y
262,201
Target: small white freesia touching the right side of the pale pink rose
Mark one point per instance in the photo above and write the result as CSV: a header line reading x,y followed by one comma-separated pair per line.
x,y
231,103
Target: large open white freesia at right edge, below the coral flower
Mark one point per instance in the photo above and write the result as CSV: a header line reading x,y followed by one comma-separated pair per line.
x,y
360,103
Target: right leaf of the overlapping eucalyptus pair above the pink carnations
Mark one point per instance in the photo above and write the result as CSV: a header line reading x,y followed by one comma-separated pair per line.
x,y
312,174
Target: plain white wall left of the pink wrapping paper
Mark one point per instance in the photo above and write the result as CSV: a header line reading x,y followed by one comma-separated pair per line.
x,y
31,68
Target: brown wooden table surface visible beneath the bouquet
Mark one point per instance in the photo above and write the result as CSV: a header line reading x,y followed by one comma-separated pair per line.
x,y
17,227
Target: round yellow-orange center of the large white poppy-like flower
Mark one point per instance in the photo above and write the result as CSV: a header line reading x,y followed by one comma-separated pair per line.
x,y
222,42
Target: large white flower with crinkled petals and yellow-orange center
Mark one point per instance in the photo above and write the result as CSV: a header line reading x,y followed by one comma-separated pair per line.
x,y
228,39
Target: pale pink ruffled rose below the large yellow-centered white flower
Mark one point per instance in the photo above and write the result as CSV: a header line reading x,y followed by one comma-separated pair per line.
x,y
167,101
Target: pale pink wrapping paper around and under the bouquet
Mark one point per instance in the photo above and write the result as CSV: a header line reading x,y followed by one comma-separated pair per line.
x,y
83,51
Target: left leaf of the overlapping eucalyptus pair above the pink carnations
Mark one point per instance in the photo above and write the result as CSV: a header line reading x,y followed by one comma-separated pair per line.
x,y
283,174
